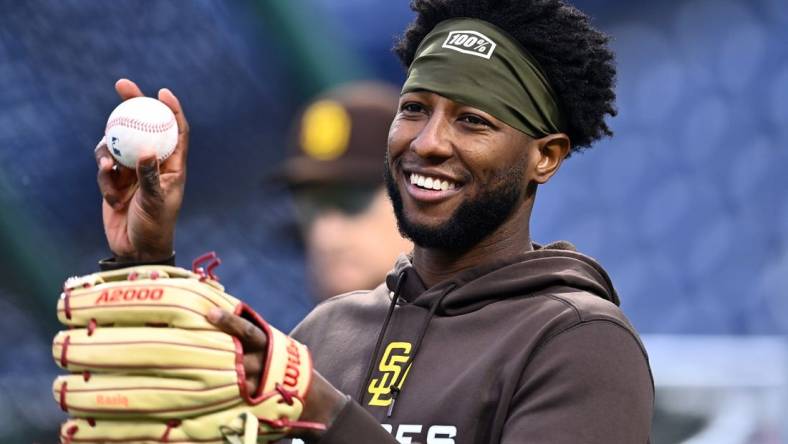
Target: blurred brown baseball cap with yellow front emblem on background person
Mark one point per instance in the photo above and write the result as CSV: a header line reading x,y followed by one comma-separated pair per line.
x,y
340,136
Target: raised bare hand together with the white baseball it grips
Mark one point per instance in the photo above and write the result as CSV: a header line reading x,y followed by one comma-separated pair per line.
x,y
142,198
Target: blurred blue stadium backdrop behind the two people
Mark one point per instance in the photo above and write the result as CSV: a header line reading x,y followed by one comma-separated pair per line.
x,y
686,206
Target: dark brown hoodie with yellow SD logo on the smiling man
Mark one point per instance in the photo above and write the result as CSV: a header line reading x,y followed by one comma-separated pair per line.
x,y
532,349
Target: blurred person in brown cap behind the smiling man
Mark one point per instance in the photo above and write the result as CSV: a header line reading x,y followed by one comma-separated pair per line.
x,y
334,169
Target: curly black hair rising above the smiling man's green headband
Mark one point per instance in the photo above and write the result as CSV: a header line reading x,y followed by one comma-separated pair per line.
x,y
574,56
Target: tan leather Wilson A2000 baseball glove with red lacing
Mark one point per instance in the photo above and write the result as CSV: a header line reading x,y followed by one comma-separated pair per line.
x,y
146,366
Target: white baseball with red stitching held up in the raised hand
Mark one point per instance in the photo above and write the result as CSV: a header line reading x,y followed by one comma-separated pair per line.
x,y
138,123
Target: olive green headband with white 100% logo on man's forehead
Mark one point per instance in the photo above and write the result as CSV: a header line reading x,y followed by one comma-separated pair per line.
x,y
474,62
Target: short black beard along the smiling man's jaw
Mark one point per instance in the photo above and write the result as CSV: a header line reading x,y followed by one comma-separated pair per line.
x,y
471,222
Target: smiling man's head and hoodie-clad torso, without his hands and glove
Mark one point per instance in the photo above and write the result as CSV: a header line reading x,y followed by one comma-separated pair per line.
x,y
484,336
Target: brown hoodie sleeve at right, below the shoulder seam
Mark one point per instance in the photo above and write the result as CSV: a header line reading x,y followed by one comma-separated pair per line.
x,y
590,383
